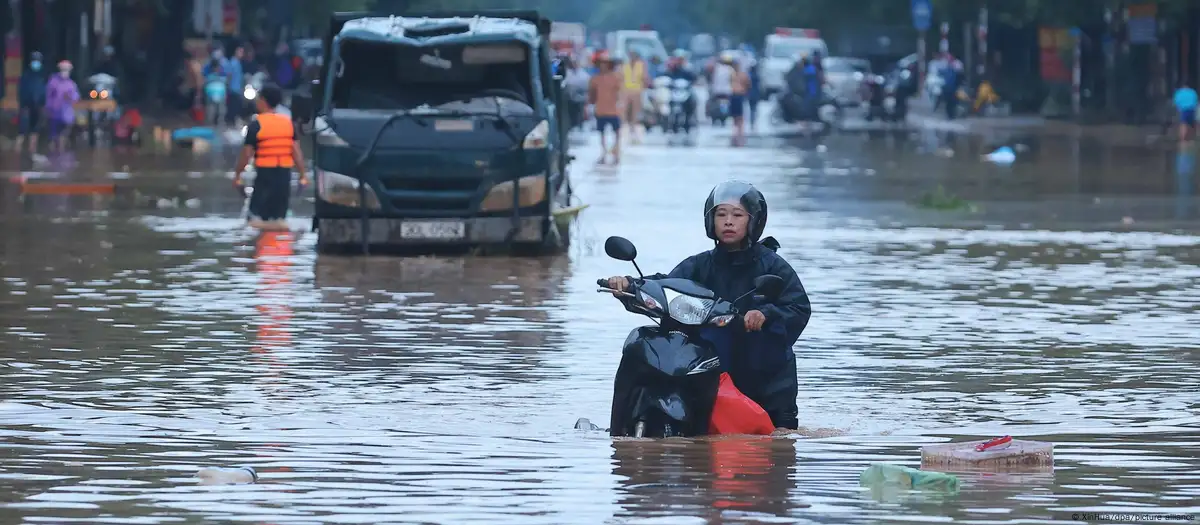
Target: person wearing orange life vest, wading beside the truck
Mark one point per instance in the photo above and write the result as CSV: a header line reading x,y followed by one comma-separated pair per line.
x,y
271,141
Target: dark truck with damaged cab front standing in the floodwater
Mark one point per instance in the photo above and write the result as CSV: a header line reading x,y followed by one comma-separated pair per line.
x,y
439,130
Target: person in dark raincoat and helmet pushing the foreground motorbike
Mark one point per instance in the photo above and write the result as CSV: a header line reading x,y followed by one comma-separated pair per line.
x,y
758,354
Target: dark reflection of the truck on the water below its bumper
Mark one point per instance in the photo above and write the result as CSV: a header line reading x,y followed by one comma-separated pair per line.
x,y
495,318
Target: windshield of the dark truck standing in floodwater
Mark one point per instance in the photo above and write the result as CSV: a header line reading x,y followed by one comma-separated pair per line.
x,y
467,79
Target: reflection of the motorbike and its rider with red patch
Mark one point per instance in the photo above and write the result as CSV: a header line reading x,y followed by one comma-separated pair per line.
x,y
735,478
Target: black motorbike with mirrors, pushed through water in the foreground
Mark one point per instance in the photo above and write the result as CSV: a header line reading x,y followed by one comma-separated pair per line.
x,y
669,377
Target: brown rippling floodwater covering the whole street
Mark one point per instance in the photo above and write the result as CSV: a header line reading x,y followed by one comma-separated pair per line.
x,y
142,343
